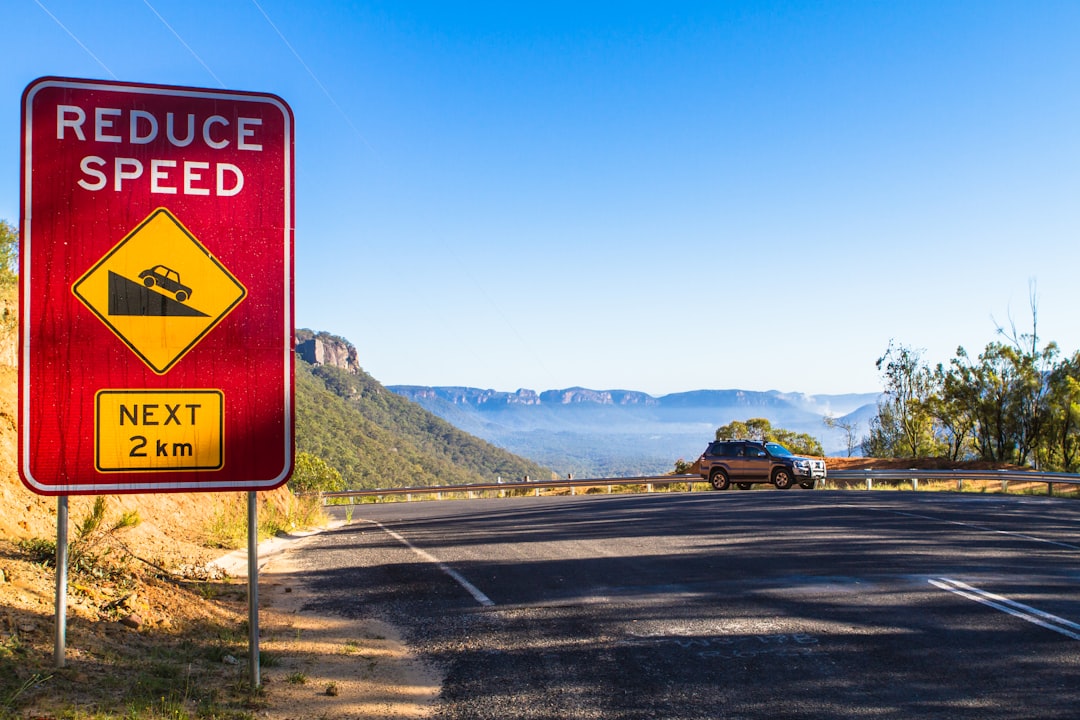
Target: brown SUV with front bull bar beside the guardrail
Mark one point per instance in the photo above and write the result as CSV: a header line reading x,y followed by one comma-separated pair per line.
x,y
746,463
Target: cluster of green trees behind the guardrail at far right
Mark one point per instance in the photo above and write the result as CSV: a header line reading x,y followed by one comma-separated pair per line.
x,y
1017,403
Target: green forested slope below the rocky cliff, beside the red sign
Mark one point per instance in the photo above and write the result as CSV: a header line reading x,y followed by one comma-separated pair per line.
x,y
379,440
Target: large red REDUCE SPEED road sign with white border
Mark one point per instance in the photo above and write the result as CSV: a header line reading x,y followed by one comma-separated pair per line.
x,y
156,323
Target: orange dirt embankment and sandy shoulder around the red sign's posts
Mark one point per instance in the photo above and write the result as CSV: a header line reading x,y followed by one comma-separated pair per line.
x,y
156,631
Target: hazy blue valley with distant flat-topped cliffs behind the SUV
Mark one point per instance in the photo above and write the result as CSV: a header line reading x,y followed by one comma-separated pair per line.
x,y
612,433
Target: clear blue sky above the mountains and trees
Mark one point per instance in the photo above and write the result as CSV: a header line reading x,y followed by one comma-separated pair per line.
x,y
646,196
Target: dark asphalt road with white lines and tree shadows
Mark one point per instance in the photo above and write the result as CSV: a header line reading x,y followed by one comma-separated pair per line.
x,y
725,605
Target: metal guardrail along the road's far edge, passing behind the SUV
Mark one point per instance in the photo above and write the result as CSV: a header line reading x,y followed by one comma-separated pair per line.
x,y
871,476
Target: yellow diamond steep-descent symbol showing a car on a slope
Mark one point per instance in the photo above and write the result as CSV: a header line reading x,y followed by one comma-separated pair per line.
x,y
160,291
